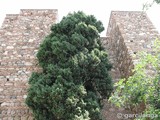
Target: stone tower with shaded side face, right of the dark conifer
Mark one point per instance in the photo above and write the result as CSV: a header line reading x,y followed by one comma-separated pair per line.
x,y
128,32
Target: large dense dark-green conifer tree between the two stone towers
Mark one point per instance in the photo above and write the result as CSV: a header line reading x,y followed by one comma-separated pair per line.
x,y
75,71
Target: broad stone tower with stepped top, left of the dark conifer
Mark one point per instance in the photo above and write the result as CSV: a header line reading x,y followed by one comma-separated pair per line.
x,y
20,36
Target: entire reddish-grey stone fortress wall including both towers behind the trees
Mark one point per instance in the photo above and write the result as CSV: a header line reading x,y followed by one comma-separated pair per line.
x,y
21,34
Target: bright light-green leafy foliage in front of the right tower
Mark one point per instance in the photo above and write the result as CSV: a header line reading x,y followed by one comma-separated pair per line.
x,y
143,86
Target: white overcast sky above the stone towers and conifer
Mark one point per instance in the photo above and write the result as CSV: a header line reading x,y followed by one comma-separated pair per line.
x,y
100,8
